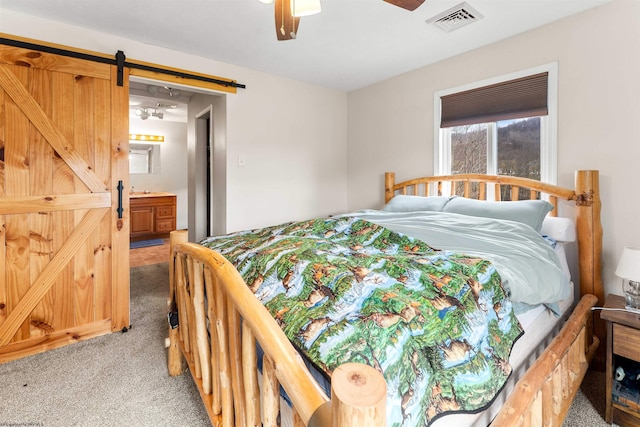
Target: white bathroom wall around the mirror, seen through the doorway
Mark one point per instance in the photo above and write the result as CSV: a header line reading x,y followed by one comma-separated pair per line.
x,y
173,163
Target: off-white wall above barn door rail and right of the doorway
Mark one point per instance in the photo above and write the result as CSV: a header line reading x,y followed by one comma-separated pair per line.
x,y
292,134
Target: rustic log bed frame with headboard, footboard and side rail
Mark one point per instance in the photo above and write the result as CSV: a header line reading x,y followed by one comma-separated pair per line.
x,y
225,366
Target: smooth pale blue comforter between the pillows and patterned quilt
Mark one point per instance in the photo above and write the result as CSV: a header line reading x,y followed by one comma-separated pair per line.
x,y
530,269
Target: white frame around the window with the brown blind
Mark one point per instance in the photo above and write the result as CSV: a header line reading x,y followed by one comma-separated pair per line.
x,y
548,124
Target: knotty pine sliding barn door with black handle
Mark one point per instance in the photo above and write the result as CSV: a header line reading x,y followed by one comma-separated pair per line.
x,y
64,260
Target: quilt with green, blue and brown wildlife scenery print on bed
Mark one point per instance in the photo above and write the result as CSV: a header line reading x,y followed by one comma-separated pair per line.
x,y
437,324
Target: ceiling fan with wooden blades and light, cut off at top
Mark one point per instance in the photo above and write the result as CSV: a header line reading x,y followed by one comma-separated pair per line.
x,y
288,13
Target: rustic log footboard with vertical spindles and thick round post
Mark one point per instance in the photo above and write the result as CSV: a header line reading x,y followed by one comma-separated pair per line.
x,y
219,323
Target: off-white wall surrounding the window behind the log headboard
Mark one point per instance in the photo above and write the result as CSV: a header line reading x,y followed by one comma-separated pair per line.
x,y
598,53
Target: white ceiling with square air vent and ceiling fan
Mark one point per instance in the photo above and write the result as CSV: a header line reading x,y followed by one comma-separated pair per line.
x,y
351,44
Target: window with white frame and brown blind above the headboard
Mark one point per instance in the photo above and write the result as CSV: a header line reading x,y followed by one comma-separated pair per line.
x,y
504,126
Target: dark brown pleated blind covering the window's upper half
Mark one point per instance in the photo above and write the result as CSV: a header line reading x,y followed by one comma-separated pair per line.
x,y
513,99
